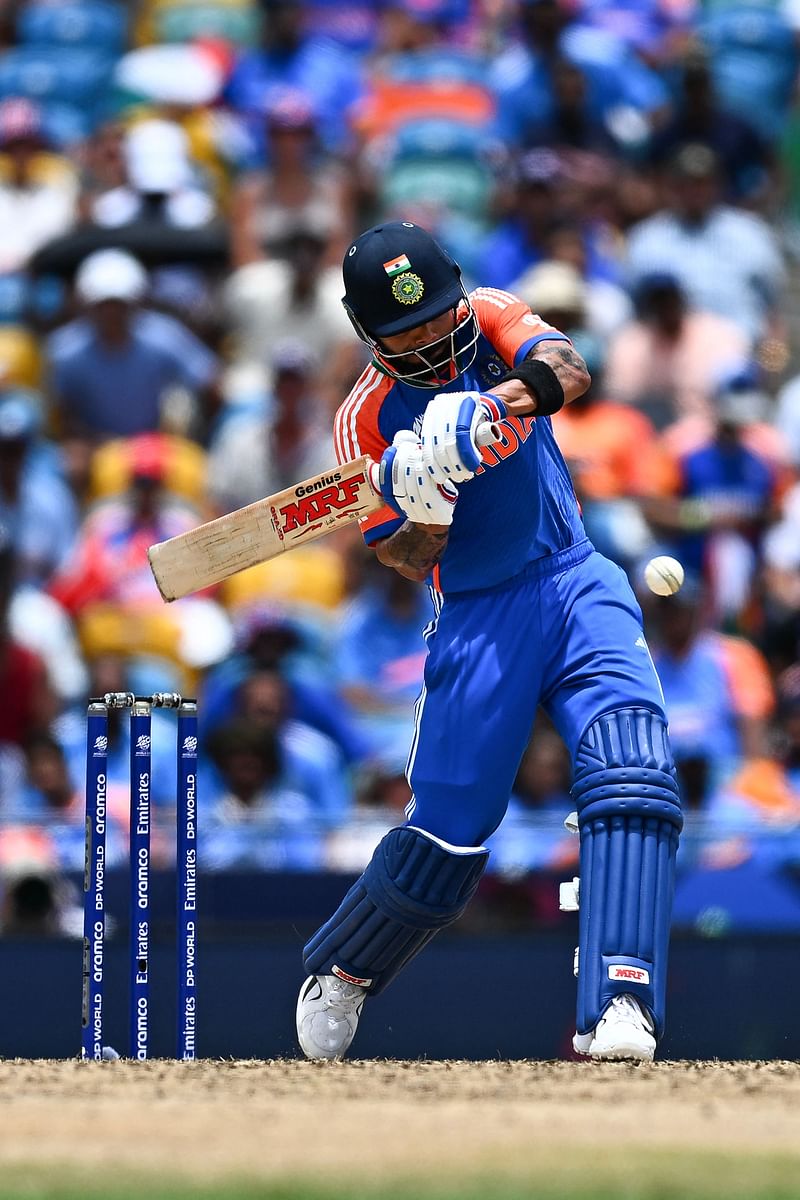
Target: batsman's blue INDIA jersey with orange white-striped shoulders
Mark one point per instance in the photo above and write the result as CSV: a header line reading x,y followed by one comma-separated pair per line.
x,y
521,505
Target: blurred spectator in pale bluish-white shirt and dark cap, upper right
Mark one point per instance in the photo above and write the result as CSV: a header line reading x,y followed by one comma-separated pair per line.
x,y
729,262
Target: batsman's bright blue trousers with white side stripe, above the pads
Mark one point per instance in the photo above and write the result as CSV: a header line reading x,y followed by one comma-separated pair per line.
x,y
566,633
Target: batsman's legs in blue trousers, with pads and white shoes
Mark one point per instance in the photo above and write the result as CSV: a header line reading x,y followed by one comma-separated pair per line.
x,y
566,634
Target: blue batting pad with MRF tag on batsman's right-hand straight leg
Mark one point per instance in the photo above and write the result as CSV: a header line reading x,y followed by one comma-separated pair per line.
x,y
630,820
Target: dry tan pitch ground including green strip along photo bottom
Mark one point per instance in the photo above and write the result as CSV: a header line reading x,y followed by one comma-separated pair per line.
x,y
422,1131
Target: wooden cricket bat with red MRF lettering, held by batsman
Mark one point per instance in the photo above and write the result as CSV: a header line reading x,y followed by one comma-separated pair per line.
x,y
220,549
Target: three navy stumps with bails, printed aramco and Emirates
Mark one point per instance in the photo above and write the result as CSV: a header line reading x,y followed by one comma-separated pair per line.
x,y
94,941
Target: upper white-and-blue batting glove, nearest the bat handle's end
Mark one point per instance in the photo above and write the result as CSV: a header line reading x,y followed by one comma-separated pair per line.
x,y
449,434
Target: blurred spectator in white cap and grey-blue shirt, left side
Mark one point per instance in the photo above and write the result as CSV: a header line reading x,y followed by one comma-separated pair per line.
x,y
112,368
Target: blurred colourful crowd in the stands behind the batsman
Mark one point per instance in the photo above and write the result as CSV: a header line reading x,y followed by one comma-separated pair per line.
x,y
178,183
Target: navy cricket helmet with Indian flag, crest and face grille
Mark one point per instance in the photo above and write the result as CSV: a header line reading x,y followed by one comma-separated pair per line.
x,y
396,279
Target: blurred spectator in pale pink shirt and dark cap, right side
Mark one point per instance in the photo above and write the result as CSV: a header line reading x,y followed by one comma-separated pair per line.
x,y
670,359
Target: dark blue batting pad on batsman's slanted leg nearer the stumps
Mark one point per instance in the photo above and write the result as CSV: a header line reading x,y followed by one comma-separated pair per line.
x,y
413,886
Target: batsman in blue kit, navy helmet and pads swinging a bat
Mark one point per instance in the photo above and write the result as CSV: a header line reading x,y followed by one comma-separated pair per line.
x,y
526,613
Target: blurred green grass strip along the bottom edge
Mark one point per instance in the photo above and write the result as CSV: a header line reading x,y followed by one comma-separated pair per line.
x,y
586,1177
